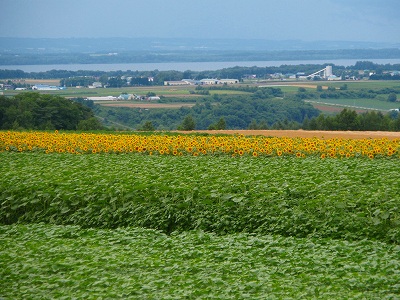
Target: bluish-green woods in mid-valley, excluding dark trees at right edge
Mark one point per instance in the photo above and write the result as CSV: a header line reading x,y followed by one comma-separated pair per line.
x,y
216,112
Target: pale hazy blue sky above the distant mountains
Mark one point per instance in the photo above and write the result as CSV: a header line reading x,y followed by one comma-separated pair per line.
x,y
308,20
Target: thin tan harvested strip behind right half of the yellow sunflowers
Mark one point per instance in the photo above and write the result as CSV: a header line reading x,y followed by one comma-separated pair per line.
x,y
311,133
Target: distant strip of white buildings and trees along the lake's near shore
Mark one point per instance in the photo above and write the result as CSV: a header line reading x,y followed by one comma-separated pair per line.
x,y
18,80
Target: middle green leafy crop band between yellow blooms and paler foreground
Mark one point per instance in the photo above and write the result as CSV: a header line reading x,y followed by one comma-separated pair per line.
x,y
336,198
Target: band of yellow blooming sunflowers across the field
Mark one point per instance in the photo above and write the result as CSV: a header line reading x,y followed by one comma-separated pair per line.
x,y
196,145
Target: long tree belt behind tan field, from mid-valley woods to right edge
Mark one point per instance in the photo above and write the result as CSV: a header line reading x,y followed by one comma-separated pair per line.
x,y
253,114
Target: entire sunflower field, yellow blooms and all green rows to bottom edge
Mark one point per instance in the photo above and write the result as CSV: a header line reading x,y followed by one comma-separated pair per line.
x,y
189,216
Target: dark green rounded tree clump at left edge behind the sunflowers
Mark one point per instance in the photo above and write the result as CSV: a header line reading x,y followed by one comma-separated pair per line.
x,y
45,112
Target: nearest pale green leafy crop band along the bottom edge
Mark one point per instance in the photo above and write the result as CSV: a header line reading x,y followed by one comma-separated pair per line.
x,y
68,262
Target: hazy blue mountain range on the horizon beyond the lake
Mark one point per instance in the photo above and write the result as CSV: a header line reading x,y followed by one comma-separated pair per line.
x,y
99,45
